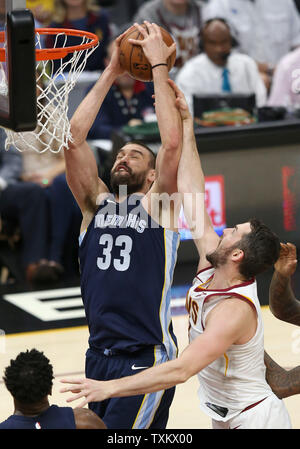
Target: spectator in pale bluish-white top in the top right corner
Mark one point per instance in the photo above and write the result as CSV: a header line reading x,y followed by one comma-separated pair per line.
x,y
266,29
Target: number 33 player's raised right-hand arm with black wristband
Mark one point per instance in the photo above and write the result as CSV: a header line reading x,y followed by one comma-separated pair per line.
x,y
168,117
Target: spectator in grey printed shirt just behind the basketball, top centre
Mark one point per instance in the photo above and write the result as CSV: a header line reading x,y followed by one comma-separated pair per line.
x,y
181,18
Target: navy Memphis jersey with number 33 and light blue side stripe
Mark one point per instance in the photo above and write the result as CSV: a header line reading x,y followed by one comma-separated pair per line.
x,y
127,263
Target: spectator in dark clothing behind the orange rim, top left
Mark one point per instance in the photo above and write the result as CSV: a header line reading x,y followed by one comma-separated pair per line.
x,y
82,15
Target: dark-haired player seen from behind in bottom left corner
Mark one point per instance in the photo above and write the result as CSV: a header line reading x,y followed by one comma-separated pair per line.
x,y
29,380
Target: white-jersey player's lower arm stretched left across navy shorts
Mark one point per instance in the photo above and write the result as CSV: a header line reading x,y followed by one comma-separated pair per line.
x,y
225,326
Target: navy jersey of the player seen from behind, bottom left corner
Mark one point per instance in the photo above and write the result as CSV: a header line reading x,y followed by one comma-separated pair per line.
x,y
53,418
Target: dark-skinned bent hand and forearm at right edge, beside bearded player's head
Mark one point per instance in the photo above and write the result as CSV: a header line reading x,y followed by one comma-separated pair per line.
x,y
282,301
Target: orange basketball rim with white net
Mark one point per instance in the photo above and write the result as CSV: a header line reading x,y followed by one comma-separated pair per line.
x,y
56,77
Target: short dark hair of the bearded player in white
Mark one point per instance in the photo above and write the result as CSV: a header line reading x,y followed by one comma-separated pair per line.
x,y
261,249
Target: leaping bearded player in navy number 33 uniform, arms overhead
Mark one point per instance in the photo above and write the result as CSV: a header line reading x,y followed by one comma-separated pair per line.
x,y
127,257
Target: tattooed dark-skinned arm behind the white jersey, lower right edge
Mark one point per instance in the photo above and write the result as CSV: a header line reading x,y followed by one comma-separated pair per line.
x,y
284,383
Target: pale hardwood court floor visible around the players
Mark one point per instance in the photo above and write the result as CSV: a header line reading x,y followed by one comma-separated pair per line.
x,y
66,349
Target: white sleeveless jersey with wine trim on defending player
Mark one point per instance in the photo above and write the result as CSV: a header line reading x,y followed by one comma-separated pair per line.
x,y
236,380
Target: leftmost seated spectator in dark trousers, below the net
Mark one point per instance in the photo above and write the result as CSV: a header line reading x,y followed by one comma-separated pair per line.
x,y
26,204
